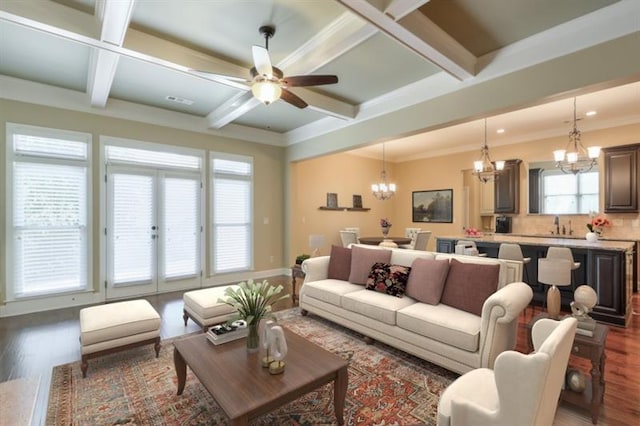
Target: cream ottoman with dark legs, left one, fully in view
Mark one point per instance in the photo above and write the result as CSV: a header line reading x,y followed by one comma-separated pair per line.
x,y
117,326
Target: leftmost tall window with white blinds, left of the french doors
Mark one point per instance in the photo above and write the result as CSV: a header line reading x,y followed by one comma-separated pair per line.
x,y
49,177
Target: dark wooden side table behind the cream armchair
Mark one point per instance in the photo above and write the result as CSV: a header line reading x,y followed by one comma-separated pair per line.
x,y
592,348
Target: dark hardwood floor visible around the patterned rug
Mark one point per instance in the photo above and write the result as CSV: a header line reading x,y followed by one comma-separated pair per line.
x,y
31,345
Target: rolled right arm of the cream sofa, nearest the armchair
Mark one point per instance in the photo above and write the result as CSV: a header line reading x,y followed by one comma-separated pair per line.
x,y
499,324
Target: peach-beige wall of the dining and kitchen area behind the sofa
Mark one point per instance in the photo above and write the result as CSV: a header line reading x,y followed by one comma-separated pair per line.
x,y
347,174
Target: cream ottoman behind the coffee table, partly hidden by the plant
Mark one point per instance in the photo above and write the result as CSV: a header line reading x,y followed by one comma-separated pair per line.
x,y
203,308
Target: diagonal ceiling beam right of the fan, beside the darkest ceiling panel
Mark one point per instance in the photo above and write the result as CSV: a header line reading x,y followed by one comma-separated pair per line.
x,y
430,42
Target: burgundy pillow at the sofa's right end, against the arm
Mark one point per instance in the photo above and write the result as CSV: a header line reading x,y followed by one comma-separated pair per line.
x,y
468,285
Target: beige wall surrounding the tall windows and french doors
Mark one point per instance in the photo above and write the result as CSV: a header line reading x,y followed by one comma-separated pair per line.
x,y
268,177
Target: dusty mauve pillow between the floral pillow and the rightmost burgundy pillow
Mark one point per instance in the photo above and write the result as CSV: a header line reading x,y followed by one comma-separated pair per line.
x,y
427,278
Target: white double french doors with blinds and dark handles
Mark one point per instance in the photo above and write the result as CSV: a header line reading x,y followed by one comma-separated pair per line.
x,y
154,231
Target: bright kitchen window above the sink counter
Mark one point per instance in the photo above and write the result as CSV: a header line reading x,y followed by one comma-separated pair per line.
x,y
569,193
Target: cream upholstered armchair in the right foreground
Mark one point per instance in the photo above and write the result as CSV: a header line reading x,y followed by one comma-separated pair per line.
x,y
520,390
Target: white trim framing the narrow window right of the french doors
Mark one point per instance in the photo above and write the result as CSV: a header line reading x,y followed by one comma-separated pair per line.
x,y
240,158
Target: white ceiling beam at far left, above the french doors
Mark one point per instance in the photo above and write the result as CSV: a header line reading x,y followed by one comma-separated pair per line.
x,y
115,17
